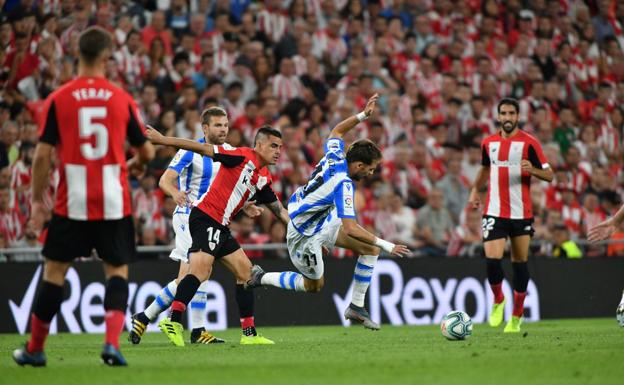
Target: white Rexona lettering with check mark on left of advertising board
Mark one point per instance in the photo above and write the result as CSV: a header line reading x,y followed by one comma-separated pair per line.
x,y
83,310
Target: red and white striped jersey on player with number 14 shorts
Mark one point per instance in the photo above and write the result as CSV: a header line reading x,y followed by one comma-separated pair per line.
x,y
240,178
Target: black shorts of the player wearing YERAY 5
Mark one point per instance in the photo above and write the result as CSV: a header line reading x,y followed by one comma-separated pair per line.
x,y
69,239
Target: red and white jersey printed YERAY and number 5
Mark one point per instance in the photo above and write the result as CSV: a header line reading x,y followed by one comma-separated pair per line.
x,y
88,121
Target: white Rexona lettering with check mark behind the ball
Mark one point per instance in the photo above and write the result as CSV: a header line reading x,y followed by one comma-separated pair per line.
x,y
422,301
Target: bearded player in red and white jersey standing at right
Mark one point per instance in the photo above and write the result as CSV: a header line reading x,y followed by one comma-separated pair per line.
x,y
509,159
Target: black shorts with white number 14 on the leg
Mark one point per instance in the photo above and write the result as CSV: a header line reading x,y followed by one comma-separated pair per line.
x,y
210,236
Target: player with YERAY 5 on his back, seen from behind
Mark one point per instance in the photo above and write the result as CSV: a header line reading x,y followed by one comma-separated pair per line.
x,y
87,121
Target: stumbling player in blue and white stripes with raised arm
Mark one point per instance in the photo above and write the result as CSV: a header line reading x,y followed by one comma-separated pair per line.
x,y
322,214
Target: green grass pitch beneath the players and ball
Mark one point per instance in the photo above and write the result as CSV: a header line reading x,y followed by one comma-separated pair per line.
x,y
551,352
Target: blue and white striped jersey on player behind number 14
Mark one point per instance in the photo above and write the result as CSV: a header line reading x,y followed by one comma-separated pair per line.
x,y
195,174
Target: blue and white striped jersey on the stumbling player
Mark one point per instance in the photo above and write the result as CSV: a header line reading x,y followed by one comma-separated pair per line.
x,y
330,192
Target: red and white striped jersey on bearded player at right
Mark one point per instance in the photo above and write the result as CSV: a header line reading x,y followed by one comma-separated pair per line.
x,y
508,190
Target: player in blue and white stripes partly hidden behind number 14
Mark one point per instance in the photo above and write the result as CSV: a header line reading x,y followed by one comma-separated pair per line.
x,y
187,179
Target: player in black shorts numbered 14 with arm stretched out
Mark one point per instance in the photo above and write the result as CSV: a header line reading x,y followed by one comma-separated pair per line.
x,y
243,174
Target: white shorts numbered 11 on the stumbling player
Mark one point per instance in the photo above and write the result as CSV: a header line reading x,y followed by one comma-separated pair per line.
x,y
306,252
